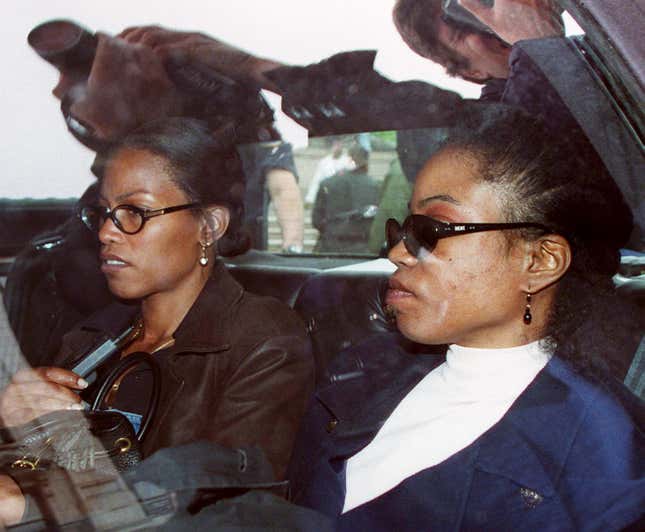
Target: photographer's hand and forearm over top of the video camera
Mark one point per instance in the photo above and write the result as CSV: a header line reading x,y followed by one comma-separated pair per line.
x,y
197,48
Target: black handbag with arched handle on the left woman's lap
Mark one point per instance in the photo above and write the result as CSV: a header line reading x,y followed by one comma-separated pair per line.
x,y
94,440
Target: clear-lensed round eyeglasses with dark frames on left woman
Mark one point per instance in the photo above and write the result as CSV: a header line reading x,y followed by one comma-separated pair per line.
x,y
127,218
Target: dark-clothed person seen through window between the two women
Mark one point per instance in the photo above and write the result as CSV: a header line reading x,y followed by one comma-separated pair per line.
x,y
345,206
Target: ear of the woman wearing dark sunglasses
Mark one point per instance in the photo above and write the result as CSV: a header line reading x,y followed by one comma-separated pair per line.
x,y
547,260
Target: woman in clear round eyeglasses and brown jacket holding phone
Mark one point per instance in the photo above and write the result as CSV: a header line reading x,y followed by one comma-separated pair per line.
x,y
235,367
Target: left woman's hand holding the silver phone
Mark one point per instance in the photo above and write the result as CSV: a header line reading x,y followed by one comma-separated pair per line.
x,y
34,392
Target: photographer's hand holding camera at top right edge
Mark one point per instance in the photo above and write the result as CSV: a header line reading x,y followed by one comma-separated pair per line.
x,y
516,20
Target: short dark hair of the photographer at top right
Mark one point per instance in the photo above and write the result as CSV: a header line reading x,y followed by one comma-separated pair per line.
x,y
416,21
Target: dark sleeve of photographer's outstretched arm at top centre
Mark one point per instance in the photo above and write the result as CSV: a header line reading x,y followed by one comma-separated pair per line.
x,y
345,94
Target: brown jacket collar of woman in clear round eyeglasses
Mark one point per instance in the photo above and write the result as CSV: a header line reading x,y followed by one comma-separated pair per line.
x,y
196,332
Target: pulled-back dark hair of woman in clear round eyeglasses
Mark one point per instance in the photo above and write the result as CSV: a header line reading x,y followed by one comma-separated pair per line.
x,y
205,166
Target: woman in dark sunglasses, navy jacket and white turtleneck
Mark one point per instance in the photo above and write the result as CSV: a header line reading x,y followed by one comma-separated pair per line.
x,y
506,418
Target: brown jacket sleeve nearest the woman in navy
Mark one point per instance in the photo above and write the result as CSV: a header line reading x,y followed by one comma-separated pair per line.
x,y
265,399
